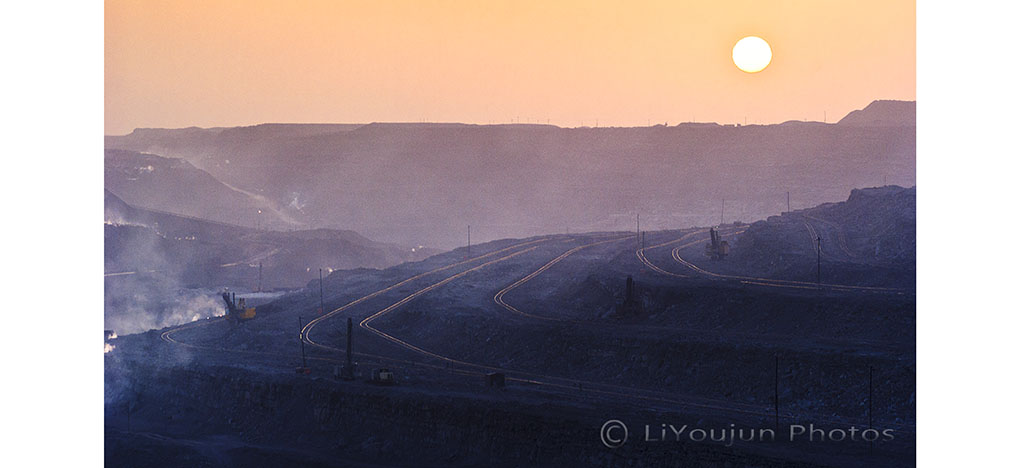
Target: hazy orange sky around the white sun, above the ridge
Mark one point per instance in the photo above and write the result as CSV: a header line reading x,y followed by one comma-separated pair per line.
x,y
179,64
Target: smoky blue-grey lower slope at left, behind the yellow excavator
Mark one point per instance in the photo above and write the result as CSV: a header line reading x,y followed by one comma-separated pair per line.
x,y
163,270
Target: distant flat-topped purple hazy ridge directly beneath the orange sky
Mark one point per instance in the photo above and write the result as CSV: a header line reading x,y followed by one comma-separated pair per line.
x,y
423,184
